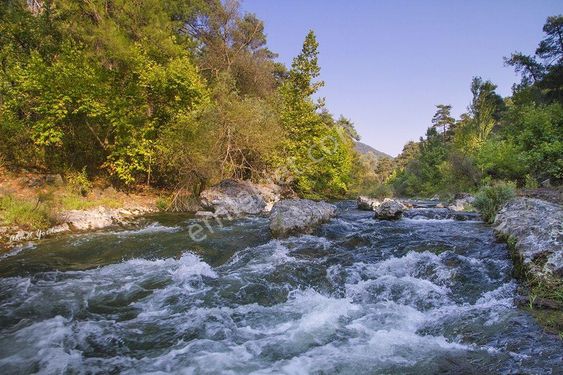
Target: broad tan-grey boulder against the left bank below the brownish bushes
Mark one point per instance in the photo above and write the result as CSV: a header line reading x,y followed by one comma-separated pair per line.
x,y
237,198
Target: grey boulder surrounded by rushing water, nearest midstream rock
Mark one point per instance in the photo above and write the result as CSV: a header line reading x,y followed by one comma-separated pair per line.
x,y
292,216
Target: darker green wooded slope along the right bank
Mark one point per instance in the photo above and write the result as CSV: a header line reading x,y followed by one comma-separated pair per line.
x,y
517,139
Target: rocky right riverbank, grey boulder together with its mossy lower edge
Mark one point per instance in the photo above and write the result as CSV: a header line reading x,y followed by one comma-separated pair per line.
x,y
533,229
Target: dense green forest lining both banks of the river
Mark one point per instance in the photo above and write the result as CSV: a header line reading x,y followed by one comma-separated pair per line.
x,y
186,93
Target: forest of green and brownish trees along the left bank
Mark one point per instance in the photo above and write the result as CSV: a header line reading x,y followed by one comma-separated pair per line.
x,y
168,94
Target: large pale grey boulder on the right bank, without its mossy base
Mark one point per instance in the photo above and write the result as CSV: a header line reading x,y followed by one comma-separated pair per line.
x,y
537,228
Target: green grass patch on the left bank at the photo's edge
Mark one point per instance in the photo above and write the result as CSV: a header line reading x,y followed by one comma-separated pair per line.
x,y
25,214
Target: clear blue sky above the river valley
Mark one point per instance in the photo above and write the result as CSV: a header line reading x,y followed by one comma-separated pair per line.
x,y
387,63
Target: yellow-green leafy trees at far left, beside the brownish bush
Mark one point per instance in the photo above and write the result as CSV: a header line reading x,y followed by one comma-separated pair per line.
x,y
100,96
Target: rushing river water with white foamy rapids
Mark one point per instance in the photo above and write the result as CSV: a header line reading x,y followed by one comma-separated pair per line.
x,y
415,296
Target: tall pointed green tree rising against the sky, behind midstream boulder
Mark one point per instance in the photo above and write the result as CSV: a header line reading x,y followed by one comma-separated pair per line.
x,y
317,156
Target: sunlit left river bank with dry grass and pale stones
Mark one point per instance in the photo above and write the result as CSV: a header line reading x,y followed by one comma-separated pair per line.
x,y
34,206
